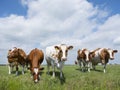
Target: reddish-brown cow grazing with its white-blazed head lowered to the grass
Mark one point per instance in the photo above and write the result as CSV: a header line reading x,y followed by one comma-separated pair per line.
x,y
35,59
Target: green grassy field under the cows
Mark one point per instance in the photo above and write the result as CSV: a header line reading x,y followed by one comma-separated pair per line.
x,y
74,79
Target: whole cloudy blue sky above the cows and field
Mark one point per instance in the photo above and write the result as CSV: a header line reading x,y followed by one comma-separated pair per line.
x,y
30,24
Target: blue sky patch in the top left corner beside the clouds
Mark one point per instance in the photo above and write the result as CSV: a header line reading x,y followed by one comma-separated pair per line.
x,y
12,6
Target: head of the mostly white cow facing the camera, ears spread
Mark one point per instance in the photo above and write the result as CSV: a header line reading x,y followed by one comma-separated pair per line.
x,y
63,51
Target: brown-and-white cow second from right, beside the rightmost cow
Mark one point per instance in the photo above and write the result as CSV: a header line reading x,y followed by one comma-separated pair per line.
x,y
83,59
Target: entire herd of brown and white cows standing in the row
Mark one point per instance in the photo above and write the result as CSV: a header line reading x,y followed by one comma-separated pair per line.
x,y
56,56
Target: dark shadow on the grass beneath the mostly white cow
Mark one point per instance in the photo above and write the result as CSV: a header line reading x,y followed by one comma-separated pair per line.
x,y
57,75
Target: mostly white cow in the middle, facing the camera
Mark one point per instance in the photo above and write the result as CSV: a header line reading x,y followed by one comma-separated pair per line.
x,y
56,56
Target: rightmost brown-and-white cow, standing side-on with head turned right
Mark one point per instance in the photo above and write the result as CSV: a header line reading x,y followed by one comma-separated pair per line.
x,y
102,55
